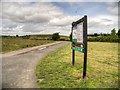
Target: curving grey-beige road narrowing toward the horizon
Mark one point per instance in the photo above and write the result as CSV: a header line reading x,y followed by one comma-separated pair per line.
x,y
18,70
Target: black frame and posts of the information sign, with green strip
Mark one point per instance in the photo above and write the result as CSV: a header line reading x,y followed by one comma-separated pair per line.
x,y
77,46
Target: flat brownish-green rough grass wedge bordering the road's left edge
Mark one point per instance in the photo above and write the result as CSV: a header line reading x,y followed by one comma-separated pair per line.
x,y
11,44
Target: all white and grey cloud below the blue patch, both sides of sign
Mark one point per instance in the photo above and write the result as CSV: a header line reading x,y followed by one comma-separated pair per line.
x,y
44,18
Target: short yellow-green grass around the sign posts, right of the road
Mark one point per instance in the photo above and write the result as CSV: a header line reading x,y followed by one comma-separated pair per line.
x,y
56,70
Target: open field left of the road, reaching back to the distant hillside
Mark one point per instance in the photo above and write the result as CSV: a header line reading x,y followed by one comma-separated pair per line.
x,y
10,43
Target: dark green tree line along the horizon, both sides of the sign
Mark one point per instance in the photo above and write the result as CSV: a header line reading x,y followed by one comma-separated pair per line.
x,y
102,37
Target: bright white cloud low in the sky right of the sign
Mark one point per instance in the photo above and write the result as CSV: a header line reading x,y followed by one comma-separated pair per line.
x,y
102,23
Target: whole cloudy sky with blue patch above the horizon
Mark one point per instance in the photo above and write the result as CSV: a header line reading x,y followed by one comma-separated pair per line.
x,y
23,18
